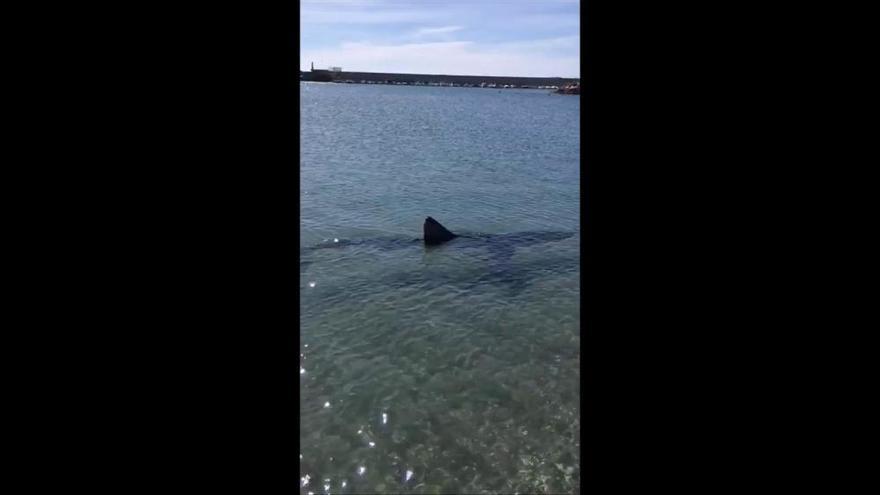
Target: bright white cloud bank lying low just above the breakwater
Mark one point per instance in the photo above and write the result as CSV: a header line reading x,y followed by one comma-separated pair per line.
x,y
539,58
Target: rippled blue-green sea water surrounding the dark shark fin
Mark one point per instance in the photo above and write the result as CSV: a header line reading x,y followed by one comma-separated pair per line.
x,y
445,370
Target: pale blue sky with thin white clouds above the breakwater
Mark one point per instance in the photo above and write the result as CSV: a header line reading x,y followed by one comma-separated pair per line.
x,y
524,38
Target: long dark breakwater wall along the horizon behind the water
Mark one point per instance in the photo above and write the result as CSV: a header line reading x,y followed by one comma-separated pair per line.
x,y
434,79
